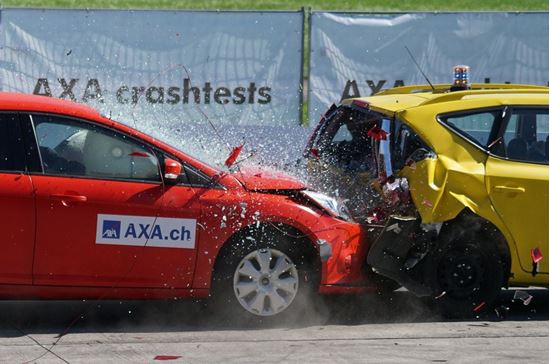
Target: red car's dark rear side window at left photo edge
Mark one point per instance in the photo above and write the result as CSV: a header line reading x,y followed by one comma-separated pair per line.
x,y
12,154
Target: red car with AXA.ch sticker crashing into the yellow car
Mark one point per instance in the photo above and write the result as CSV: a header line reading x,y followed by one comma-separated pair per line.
x,y
90,208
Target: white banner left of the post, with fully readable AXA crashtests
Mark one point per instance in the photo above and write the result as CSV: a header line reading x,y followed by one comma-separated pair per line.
x,y
173,73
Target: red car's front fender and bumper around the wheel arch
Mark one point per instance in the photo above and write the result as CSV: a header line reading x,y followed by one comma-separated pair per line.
x,y
346,239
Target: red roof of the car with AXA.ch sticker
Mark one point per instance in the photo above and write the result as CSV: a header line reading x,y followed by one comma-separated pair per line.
x,y
25,102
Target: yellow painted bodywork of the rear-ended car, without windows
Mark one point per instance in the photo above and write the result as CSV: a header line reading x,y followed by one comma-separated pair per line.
x,y
511,195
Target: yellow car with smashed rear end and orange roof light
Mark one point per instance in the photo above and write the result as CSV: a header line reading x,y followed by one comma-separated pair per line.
x,y
452,185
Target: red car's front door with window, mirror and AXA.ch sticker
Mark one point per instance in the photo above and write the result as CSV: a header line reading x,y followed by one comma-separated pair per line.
x,y
101,218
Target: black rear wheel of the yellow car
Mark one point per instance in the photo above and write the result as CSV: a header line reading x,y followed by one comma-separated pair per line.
x,y
467,272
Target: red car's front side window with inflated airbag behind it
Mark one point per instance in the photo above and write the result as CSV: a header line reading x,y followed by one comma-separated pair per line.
x,y
77,148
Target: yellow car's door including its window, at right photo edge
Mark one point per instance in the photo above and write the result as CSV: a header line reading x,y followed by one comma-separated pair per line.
x,y
517,181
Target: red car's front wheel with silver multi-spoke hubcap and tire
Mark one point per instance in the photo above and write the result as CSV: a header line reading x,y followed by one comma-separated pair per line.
x,y
263,279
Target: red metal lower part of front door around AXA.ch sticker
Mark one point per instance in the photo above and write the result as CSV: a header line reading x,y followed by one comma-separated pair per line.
x,y
66,253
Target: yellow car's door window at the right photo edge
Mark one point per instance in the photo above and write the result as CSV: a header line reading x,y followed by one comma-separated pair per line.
x,y
525,135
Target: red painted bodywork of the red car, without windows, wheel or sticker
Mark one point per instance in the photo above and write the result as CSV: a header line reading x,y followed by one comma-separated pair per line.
x,y
51,250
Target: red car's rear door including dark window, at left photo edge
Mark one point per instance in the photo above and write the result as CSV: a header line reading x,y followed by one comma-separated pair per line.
x,y
17,211
